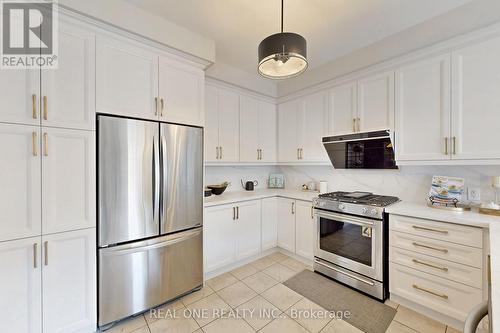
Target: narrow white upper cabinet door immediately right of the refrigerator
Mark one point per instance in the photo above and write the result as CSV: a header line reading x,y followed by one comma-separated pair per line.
x,y
211,124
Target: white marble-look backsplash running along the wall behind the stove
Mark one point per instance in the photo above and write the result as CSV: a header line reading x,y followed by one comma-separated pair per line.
x,y
409,183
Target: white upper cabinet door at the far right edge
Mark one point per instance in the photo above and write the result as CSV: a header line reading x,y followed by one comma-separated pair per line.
x,y
476,101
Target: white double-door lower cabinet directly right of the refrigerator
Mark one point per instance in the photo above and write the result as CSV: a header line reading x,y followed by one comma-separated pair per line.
x,y
231,233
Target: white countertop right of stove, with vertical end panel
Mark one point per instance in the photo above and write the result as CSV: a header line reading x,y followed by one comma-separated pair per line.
x,y
472,218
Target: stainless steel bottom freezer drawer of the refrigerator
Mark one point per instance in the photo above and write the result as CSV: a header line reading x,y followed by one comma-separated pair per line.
x,y
141,275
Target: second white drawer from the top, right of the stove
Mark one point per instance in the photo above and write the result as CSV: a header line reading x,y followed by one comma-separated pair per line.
x,y
444,250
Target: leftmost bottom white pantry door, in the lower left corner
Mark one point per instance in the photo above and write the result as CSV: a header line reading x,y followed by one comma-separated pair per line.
x,y
21,285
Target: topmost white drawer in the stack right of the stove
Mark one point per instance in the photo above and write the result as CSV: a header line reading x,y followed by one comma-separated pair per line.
x,y
449,232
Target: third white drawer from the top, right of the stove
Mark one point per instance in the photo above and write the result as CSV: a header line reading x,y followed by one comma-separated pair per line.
x,y
470,276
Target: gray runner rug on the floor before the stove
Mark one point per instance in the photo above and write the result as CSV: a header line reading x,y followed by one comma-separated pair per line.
x,y
367,314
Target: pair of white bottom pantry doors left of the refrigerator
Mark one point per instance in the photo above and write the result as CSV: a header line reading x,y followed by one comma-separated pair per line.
x,y
59,269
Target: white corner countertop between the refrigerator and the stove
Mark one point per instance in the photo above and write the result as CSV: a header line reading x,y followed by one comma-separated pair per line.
x,y
238,196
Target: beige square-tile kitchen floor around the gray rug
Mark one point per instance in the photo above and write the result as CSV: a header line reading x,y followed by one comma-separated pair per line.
x,y
253,289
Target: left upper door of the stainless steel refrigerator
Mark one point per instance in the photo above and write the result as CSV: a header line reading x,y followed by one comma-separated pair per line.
x,y
129,173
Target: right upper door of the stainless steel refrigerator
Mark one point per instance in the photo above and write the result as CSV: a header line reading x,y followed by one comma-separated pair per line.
x,y
182,177
